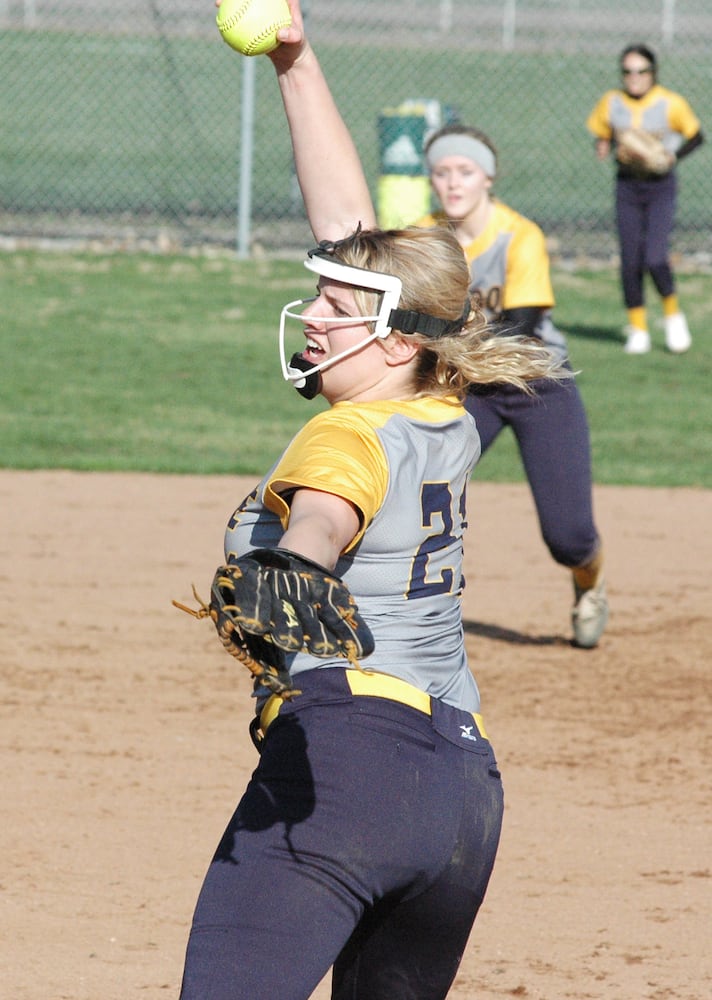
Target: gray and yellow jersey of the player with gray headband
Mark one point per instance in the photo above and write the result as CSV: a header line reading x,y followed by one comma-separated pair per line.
x,y
509,269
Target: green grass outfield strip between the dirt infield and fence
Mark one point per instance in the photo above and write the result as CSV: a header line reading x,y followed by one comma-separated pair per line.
x,y
170,364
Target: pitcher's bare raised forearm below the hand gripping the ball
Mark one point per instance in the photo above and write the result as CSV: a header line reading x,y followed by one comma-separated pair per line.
x,y
334,188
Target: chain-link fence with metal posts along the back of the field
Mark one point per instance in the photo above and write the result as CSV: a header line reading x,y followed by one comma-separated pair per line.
x,y
134,121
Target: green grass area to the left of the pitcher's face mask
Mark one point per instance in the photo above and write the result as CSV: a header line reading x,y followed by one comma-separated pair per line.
x,y
150,363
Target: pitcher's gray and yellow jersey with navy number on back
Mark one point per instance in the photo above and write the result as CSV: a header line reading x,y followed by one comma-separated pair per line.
x,y
405,466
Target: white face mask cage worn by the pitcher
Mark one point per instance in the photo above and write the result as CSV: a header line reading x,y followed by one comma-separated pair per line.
x,y
387,284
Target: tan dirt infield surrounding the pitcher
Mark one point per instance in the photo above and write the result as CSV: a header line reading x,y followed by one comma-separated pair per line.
x,y
125,747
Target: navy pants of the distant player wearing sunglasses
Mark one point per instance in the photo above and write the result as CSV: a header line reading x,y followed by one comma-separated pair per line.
x,y
645,215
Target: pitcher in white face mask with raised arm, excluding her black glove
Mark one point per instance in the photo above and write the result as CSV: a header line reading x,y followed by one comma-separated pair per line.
x,y
367,833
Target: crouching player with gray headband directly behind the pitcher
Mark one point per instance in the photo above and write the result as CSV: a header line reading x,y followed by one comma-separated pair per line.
x,y
509,278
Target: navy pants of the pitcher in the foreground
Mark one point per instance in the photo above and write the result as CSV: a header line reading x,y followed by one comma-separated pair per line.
x,y
365,840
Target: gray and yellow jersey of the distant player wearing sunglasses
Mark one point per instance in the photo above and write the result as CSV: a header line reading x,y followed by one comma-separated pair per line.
x,y
661,112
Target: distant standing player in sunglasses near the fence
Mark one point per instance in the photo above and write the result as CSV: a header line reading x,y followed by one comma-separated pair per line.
x,y
645,200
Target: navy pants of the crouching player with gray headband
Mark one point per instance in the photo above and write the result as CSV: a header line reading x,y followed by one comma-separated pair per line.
x,y
551,430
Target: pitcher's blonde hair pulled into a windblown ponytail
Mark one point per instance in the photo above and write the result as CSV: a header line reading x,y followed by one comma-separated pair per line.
x,y
435,279
